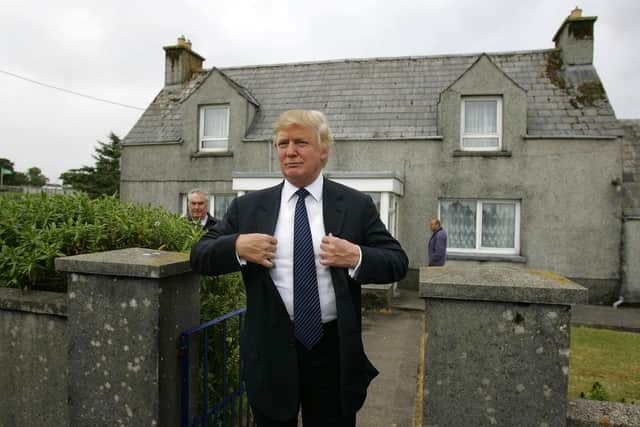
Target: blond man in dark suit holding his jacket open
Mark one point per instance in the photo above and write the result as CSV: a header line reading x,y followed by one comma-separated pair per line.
x,y
304,248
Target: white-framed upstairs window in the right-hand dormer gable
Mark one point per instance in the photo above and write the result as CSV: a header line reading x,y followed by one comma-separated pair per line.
x,y
481,123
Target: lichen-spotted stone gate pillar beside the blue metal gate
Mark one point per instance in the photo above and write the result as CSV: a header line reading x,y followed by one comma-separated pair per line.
x,y
126,309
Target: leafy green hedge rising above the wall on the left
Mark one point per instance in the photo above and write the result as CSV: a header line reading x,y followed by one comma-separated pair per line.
x,y
35,229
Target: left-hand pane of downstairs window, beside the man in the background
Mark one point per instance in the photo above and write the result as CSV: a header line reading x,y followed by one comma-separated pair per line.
x,y
458,217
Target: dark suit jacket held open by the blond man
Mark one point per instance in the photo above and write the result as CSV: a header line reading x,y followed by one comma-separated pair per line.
x,y
269,349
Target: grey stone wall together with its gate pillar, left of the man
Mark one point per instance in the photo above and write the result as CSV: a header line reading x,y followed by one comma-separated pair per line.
x,y
105,353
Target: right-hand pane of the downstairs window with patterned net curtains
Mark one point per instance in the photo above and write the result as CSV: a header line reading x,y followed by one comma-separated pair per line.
x,y
498,225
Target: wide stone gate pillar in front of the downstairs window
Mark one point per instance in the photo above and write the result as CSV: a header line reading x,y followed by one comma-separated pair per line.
x,y
497,345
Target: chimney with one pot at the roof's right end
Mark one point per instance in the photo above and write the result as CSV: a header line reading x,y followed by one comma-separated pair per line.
x,y
575,38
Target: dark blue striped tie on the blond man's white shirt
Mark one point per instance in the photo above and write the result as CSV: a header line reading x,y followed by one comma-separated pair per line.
x,y
306,301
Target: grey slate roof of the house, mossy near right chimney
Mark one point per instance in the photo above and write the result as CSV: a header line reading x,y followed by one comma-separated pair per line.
x,y
394,97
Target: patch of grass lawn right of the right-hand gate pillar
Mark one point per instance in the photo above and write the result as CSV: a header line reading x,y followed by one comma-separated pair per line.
x,y
611,358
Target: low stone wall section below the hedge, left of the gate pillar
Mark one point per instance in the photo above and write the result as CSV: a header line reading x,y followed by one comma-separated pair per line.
x,y
33,358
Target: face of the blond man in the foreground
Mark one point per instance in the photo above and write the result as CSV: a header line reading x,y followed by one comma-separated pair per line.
x,y
301,155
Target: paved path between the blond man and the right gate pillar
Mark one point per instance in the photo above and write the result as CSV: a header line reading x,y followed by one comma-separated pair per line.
x,y
392,342
